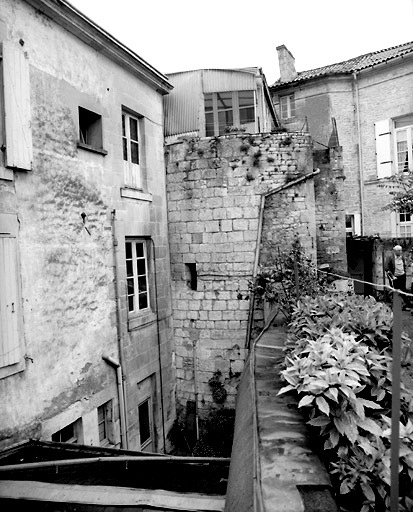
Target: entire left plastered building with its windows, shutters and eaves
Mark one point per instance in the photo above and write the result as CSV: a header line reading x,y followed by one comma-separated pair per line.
x,y
86,337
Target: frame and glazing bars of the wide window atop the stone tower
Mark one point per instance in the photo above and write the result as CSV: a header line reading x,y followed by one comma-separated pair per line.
x,y
234,109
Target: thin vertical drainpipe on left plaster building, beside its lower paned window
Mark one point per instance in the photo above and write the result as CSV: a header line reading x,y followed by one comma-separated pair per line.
x,y
122,397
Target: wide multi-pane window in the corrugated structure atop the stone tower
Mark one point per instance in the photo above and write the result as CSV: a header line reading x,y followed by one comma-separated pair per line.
x,y
226,109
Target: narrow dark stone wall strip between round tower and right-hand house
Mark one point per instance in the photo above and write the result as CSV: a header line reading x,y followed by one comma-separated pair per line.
x,y
330,209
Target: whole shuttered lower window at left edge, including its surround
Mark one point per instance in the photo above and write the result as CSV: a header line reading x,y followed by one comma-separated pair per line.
x,y
11,339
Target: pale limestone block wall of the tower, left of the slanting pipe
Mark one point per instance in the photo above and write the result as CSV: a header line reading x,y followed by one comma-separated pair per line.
x,y
214,188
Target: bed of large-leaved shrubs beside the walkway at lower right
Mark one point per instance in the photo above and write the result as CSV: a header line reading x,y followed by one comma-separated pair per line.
x,y
338,360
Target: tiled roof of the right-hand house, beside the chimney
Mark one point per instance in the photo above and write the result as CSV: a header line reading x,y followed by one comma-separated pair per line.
x,y
356,64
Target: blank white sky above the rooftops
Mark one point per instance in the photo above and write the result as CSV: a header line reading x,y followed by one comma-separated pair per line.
x,y
179,35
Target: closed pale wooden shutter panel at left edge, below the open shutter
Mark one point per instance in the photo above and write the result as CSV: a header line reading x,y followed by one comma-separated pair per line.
x,y
9,303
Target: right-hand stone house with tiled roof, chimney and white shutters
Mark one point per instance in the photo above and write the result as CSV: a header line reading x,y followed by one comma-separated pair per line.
x,y
368,102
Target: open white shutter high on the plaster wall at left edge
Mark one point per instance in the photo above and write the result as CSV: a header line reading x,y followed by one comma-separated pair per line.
x,y
16,79
